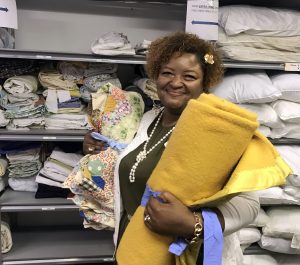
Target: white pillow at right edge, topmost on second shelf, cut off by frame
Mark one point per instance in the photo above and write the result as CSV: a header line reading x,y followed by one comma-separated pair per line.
x,y
288,84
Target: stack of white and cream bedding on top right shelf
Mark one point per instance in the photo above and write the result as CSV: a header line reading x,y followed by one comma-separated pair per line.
x,y
253,33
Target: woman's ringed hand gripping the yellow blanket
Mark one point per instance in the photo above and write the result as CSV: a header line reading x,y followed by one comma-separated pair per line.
x,y
169,216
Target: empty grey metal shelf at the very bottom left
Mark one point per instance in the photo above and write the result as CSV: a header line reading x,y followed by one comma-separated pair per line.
x,y
54,246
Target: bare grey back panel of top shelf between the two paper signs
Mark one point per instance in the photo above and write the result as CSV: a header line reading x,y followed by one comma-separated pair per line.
x,y
71,26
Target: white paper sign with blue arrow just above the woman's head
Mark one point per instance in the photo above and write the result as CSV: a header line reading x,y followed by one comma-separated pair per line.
x,y
202,18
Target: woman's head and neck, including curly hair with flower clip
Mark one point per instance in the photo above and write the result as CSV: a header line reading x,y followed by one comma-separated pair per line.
x,y
183,66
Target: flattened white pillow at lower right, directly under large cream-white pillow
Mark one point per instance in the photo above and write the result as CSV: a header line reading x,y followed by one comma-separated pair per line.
x,y
277,244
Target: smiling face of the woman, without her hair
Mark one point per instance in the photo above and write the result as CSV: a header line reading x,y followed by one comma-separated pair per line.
x,y
178,81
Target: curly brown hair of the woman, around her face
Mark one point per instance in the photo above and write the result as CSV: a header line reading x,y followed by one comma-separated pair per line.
x,y
161,50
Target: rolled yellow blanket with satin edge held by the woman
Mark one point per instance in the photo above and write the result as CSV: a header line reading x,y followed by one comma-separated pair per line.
x,y
213,152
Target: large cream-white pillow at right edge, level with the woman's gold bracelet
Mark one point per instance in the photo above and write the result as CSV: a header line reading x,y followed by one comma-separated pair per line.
x,y
284,222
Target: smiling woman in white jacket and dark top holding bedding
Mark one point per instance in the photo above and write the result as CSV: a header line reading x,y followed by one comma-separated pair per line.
x,y
183,67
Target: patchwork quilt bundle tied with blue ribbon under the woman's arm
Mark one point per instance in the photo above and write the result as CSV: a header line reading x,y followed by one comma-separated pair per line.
x,y
115,114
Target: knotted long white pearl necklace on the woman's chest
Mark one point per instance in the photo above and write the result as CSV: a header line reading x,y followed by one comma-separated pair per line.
x,y
143,154
